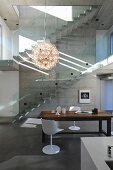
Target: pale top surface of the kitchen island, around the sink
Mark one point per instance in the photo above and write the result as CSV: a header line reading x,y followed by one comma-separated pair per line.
x,y
97,149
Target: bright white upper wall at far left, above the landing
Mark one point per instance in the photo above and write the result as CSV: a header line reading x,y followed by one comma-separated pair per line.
x,y
6,41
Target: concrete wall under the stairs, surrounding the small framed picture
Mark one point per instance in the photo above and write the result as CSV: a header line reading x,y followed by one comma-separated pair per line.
x,y
70,95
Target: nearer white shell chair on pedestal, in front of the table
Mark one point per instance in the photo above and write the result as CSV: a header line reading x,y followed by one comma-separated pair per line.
x,y
50,127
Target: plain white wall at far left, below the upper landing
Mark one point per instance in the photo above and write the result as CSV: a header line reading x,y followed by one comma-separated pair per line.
x,y
9,93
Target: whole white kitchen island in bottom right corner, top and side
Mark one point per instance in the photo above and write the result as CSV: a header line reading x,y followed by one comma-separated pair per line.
x,y
94,153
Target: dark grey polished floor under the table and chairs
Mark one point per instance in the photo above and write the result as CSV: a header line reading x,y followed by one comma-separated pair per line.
x,y
21,148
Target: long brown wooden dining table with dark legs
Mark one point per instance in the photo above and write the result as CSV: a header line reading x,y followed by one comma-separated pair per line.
x,y
82,116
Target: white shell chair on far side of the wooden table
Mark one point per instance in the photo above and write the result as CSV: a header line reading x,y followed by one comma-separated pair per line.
x,y
77,109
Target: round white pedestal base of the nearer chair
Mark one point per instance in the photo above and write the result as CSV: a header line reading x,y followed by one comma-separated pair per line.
x,y
51,150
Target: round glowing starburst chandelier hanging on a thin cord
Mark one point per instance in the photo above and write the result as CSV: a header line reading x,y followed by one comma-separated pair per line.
x,y
45,55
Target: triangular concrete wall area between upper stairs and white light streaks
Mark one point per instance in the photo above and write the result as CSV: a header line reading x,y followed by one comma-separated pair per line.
x,y
80,43
